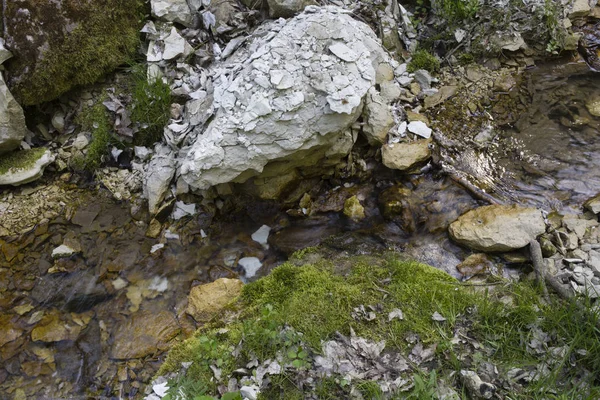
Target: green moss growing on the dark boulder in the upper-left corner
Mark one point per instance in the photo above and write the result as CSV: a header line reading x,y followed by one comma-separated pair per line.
x,y
106,37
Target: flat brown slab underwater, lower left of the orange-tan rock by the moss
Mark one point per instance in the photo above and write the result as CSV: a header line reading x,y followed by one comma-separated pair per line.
x,y
144,334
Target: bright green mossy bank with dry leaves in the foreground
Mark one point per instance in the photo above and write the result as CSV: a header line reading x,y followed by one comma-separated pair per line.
x,y
287,316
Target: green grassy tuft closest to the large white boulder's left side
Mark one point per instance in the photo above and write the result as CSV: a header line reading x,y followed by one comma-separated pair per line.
x,y
151,102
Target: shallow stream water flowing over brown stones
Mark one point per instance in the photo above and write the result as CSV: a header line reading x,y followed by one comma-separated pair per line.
x,y
97,323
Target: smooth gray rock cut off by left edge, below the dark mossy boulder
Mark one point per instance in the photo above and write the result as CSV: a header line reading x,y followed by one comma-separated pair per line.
x,y
12,120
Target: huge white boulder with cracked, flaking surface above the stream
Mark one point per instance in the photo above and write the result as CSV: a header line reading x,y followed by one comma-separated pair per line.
x,y
289,94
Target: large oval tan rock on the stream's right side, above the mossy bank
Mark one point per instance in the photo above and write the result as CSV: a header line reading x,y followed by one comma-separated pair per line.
x,y
498,228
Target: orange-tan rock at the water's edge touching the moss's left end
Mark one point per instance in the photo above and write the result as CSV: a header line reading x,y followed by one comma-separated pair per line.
x,y
207,301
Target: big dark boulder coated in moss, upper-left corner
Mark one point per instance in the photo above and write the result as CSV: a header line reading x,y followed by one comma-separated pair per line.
x,y
59,45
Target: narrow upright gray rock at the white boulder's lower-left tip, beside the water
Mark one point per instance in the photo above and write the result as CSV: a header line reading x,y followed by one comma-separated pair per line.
x,y
157,178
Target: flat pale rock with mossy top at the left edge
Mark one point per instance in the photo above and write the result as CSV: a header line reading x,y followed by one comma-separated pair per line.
x,y
24,166
